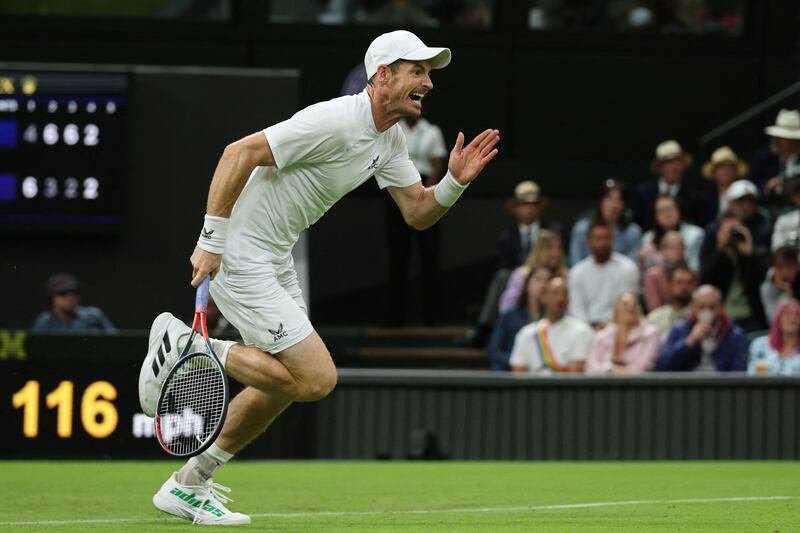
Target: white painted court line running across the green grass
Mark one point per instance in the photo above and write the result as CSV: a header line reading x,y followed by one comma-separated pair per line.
x,y
519,508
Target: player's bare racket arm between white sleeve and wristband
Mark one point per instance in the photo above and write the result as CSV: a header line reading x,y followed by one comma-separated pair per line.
x,y
236,164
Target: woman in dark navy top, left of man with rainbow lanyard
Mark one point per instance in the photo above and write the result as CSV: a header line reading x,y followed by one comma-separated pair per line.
x,y
527,309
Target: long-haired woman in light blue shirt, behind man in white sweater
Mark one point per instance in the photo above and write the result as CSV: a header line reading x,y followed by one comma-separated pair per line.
x,y
611,211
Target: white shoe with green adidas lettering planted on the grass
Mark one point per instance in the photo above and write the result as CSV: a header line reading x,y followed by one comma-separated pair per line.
x,y
202,504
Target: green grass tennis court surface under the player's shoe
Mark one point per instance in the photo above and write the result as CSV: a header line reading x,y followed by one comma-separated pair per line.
x,y
403,496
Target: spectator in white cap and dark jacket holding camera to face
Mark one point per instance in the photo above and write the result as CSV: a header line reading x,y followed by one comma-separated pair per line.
x,y
734,256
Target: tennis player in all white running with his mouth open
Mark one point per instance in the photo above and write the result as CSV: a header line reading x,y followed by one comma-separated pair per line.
x,y
267,188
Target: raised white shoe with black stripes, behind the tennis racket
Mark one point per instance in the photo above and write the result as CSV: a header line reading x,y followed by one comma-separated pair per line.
x,y
168,336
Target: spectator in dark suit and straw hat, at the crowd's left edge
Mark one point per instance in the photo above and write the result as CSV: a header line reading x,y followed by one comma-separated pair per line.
x,y
515,243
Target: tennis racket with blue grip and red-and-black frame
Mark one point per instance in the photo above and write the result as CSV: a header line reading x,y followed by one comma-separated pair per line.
x,y
193,400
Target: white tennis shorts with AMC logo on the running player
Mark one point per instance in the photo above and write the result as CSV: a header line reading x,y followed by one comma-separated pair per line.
x,y
264,303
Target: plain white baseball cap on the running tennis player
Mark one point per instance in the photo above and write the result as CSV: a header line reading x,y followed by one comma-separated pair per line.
x,y
402,44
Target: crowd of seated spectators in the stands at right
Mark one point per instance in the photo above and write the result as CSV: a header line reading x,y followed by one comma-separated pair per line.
x,y
664,277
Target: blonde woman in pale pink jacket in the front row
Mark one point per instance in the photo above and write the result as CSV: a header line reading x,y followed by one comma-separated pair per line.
x,y
627,345
